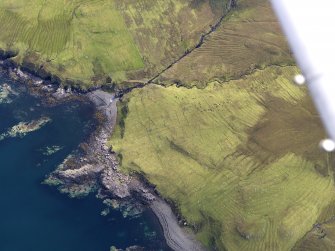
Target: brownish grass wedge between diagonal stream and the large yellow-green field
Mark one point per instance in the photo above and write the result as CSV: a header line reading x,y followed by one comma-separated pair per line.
x,y
249,38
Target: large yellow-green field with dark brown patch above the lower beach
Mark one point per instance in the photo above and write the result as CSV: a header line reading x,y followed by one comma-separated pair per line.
x,y
239,160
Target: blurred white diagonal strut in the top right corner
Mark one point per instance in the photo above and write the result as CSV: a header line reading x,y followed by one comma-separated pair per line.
x,y
310,29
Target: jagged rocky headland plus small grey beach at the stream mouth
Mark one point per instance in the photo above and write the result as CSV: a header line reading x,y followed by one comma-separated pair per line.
x,y
98,169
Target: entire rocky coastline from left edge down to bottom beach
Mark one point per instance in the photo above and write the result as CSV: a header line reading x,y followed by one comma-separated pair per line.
x,y
94,168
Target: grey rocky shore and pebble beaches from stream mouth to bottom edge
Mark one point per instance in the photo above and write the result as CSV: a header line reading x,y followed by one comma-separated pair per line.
x,y
99,169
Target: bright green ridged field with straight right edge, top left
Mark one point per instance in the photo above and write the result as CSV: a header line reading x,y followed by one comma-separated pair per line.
x,y
78,38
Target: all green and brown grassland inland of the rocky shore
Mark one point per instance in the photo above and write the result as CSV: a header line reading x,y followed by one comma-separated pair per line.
x,y
218,127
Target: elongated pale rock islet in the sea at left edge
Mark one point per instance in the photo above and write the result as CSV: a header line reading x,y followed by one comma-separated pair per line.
x,y
23,128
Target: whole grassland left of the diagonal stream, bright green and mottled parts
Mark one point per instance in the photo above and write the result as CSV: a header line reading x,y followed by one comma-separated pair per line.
x,y
84,42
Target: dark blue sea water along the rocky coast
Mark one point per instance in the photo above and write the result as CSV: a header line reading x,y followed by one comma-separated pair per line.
x,y
35,217
